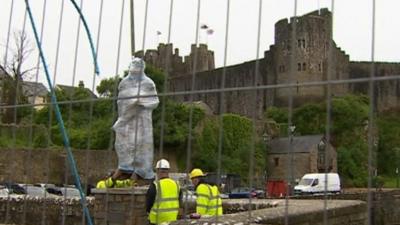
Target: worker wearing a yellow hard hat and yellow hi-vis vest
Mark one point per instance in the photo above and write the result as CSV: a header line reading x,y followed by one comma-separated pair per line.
x,y
208,202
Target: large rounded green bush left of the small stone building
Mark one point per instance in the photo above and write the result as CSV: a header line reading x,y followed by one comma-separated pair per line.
x,y
236,145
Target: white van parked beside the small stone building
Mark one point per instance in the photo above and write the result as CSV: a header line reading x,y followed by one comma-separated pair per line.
x,y
313,183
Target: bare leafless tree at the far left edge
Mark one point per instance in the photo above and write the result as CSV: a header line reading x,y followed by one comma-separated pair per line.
x,y
15,71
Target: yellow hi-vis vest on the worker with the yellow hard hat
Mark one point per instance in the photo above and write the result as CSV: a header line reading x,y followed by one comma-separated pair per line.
x,y
208,201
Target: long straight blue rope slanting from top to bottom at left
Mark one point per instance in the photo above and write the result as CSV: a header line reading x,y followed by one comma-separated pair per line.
x,y
60,120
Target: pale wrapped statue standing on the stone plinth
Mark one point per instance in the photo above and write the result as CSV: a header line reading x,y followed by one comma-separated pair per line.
x,y
133,129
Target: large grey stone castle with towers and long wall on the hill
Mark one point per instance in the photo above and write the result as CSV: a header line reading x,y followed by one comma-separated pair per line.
x,y
307,61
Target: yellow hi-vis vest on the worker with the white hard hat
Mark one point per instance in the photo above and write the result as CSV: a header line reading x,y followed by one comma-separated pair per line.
x,y
166,204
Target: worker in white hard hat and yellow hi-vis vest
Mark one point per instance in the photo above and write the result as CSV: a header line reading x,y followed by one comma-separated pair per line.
x,y
163,197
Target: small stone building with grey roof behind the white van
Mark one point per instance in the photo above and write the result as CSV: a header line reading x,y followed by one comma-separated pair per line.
x,y
306,155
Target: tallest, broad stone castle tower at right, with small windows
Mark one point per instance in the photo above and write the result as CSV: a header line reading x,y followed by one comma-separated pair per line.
x,y
311,52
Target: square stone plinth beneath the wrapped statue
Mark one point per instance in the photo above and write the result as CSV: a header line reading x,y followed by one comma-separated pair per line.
x,y
120,206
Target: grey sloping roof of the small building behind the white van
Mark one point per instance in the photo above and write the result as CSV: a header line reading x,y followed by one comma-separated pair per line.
x,y
300,144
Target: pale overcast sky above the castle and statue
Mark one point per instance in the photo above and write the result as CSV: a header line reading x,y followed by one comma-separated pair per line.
x,y
352,31
